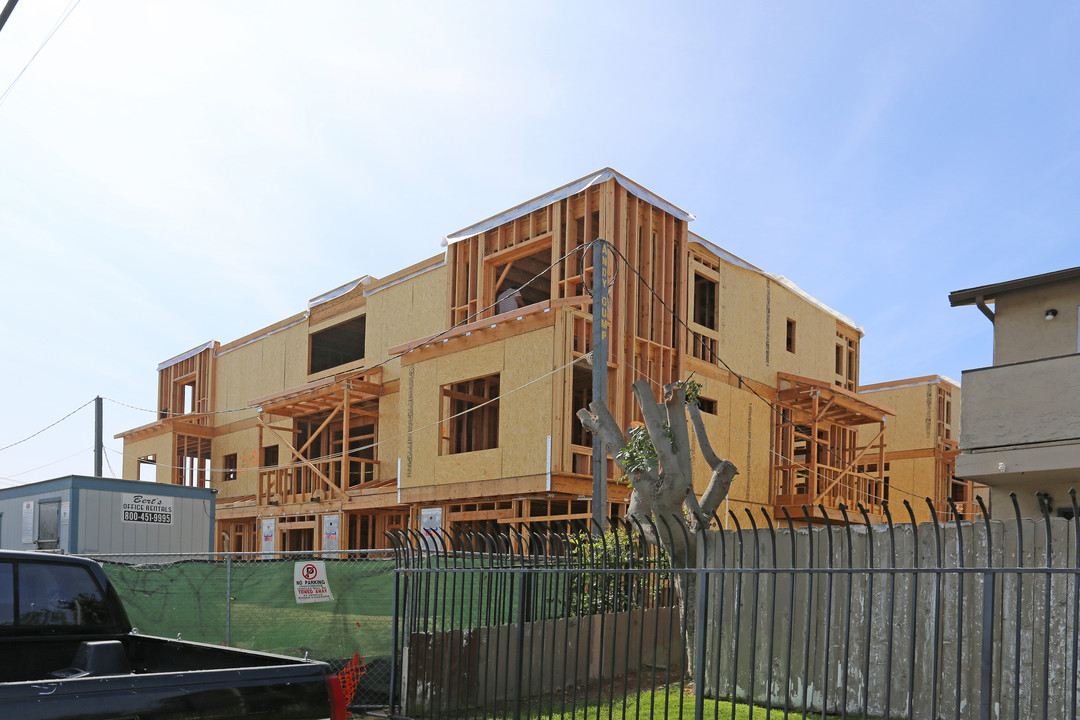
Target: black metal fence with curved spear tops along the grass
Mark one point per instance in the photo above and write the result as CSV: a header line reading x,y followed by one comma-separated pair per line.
x,y
940,620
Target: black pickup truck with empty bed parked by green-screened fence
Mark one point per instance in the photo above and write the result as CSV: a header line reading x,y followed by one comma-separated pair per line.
x,y
67,650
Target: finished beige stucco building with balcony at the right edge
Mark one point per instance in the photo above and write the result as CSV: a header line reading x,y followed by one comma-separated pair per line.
x,y
1021,429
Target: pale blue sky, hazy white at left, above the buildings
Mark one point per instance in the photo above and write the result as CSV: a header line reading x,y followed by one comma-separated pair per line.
x,y
178,172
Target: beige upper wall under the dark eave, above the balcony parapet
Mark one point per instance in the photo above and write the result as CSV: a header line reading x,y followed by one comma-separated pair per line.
x,y
1021,329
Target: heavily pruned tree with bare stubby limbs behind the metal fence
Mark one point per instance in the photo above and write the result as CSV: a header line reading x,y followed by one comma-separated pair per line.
x,y
660,470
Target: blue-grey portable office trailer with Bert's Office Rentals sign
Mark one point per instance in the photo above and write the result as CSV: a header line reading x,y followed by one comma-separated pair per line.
x,y
96,515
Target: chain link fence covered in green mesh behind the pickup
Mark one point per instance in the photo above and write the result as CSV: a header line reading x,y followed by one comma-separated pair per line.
x,y
249,601
